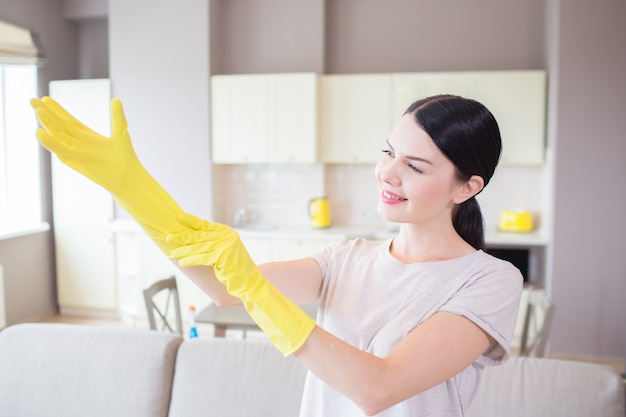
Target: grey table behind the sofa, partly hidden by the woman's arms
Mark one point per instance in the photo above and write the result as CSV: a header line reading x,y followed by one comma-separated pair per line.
x,y
236,317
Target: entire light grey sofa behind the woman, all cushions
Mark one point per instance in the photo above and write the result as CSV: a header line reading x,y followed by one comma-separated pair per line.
x,y
68,370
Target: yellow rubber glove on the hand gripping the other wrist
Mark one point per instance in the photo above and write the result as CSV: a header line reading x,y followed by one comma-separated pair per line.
x,y
286,324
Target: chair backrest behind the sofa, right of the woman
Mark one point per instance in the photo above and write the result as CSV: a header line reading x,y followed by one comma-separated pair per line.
x,y
537,323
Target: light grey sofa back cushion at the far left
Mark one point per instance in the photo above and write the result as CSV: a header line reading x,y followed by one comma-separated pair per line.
x,y
69,370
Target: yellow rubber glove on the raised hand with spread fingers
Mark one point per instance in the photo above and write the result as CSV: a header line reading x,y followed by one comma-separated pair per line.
x,y
111,163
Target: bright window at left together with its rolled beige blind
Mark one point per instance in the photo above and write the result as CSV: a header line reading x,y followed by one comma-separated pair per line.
x,y
20,187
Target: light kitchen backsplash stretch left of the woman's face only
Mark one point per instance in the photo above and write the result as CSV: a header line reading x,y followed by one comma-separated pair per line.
x,y
279,194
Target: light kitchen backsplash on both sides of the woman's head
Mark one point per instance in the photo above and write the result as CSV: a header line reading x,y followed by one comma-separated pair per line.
x,y
279,194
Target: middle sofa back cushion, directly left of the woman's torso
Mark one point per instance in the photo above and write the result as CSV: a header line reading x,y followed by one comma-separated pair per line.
x,y
233,378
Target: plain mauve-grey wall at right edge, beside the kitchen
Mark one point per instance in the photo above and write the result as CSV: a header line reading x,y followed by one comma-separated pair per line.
x,y
589,223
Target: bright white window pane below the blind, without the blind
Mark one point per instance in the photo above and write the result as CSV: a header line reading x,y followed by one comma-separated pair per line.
x,y
20,195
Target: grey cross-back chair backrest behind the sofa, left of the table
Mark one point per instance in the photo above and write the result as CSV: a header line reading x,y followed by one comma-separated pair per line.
x,y
159,309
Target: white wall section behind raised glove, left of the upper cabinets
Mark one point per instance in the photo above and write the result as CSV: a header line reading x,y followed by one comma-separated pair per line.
x,y
159,67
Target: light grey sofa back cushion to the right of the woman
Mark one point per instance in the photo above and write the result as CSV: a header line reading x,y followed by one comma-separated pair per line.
x,y
539,387
